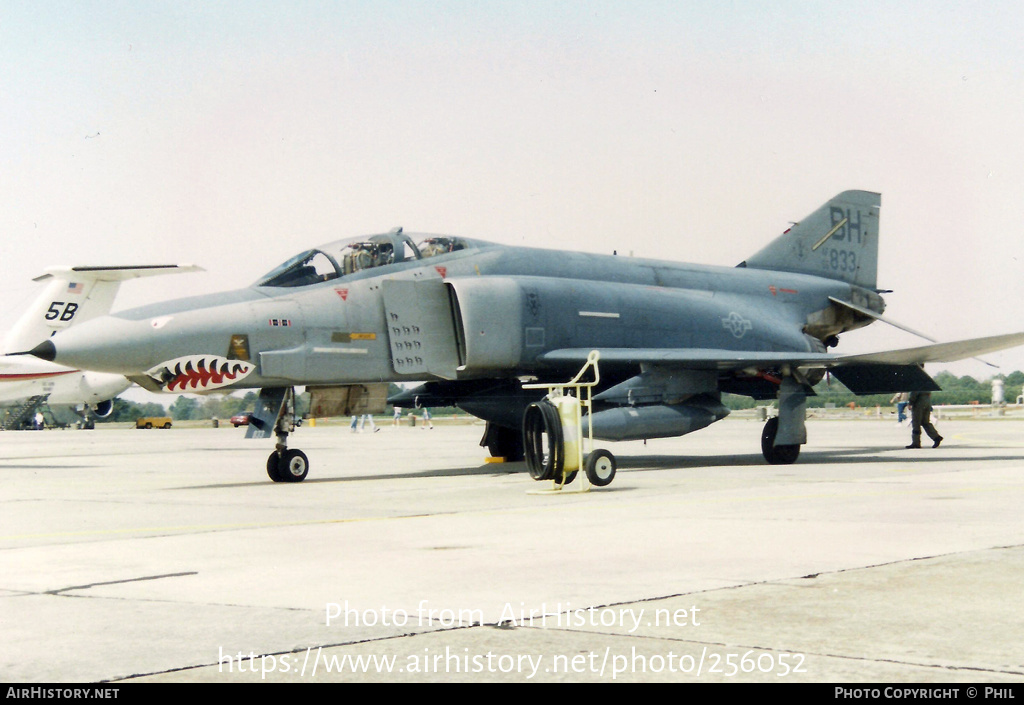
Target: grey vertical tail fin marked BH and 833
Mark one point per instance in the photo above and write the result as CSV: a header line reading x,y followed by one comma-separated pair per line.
x,y
840,240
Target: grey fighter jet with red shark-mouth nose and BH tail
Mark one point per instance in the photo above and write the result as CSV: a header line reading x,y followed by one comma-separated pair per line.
x,y
474,320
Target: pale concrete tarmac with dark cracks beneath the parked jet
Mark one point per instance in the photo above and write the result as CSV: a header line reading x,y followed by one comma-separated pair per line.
x,y
168,556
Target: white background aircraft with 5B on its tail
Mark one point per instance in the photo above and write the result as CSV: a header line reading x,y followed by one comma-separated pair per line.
x,y
72,296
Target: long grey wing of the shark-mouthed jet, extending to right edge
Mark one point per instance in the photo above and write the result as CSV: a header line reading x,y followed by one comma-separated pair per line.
x,y
708,359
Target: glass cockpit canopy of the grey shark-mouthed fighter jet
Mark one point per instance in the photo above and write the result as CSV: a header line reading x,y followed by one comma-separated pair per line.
x,y
349,257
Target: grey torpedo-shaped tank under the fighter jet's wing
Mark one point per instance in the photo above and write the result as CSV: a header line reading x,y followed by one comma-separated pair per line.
x,y
660,422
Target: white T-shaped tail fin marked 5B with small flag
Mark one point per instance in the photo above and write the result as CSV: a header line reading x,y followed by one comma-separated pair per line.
x,y
76,295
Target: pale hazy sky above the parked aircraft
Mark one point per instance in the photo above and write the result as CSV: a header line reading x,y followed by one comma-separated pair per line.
x,y
234,135
